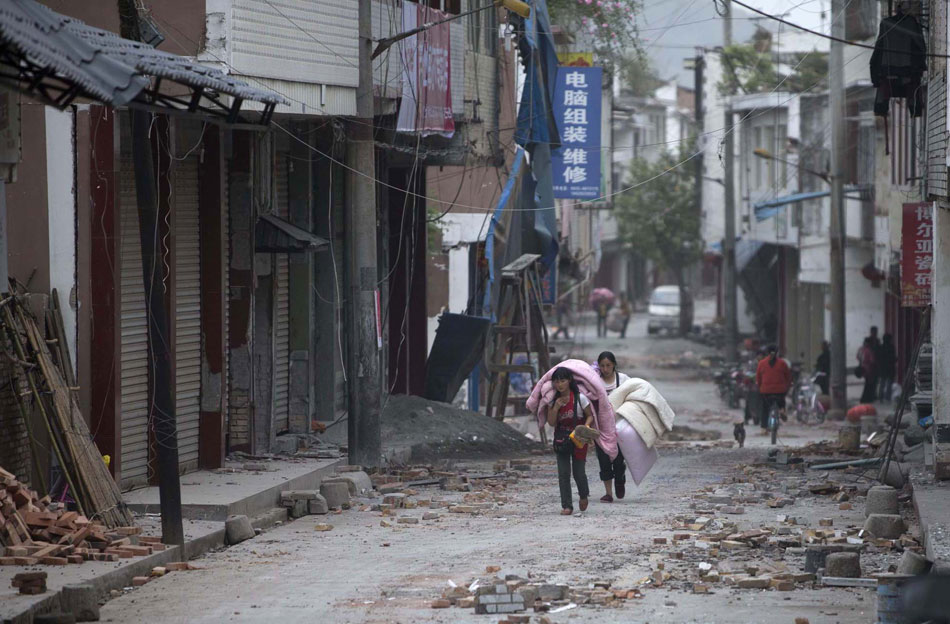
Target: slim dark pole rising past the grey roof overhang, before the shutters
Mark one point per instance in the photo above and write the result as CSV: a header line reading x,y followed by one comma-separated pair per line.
x,y
161,406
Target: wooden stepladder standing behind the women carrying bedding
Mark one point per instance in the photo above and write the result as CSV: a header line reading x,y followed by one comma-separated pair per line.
x,y
520,328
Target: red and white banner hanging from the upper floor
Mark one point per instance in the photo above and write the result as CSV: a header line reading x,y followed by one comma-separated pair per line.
x,y
426,105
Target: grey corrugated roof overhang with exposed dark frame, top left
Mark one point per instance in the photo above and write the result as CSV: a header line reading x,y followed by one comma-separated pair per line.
x,y
55,58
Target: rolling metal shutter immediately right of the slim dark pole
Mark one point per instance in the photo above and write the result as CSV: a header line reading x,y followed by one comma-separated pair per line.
x,y
187,312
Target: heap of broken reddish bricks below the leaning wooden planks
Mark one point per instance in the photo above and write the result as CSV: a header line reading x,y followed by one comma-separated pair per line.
x,y
34,530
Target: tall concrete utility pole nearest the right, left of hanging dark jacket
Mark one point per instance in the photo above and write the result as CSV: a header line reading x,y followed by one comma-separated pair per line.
x,y
839,372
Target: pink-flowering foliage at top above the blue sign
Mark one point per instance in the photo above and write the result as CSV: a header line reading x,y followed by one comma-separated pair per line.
x,y
608,23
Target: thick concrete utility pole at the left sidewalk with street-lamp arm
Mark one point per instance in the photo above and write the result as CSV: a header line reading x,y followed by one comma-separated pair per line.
x,y
365,384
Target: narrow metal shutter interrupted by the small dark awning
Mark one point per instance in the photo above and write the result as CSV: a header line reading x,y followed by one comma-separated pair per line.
x,y
282,308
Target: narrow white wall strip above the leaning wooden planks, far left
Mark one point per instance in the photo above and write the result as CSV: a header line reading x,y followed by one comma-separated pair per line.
x,y
61,199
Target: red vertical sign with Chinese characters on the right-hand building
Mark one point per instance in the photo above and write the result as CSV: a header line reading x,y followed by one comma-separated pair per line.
x,y
916,254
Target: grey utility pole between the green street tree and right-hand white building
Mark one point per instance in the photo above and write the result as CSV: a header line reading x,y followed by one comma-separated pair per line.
x,y
729,238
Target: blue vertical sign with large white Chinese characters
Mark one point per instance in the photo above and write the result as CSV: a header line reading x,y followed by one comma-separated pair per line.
x,y
576,165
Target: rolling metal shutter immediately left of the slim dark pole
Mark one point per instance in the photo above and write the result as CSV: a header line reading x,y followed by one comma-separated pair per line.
x,y
134,341
